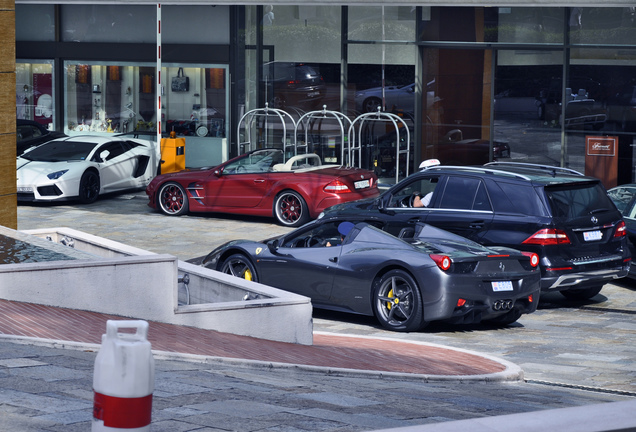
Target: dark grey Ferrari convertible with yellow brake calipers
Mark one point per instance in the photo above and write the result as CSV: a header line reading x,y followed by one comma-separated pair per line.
x,y
423,275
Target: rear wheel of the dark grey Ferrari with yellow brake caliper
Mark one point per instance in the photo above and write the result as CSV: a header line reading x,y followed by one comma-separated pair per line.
x,y
397,302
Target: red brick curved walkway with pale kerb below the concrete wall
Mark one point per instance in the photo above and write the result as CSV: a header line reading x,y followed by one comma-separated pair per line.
x,y
330,352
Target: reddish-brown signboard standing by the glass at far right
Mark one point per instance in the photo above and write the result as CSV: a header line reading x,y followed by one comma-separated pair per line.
x,y
601,159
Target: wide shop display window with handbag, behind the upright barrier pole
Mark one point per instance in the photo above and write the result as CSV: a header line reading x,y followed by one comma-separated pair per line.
x,y
119,98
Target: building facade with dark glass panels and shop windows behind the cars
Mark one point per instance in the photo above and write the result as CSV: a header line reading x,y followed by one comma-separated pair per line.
x,y
472,83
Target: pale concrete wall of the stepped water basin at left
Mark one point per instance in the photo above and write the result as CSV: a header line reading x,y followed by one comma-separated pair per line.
x,y
112,278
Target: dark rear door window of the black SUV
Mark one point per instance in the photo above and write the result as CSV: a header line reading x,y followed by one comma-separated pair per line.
x,y
465,193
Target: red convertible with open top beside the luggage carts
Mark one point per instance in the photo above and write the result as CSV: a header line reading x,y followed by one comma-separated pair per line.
x,y
262,183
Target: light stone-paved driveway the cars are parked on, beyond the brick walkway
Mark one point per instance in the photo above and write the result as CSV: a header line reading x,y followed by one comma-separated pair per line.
x,y
565,344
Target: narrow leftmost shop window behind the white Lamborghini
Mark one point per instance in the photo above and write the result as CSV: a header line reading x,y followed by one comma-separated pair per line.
x,y
34,94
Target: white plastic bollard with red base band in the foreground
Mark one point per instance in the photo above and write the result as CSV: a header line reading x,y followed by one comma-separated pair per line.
x,y
124,379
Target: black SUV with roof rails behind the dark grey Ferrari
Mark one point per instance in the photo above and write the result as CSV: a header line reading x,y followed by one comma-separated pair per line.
x,y
563,216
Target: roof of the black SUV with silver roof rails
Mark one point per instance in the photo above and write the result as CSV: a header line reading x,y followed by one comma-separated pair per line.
x,y
543,174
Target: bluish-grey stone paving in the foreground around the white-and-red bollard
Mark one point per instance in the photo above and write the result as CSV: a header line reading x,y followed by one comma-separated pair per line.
x,y
49,389
